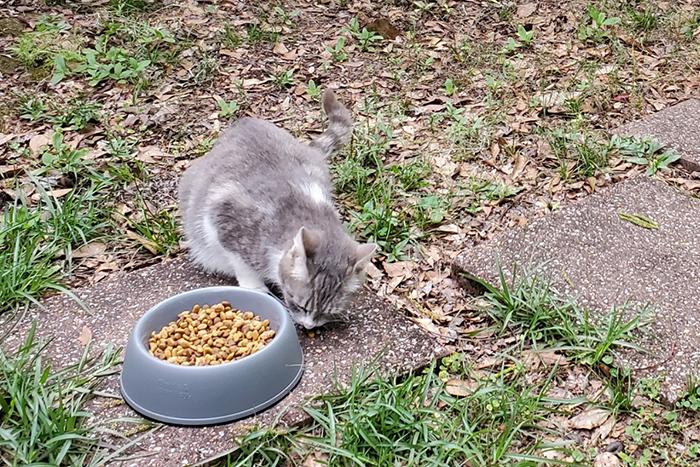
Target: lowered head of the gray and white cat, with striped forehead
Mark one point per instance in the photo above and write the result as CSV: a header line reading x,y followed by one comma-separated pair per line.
x,y
319,277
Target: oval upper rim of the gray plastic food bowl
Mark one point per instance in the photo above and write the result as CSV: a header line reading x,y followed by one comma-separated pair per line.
x,y
285,322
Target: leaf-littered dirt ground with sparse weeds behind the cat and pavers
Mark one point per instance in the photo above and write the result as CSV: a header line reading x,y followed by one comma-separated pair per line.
x,y
480,115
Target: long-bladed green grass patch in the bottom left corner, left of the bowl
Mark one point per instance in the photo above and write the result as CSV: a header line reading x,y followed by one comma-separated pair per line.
x,y
43,419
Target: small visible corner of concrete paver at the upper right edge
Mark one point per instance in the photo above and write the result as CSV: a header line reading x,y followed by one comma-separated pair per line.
x,y
677,126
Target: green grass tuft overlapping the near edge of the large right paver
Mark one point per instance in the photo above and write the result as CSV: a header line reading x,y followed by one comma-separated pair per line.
x,y
532,308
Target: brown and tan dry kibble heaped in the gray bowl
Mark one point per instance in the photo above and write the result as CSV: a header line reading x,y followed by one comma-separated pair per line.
x,y
210,336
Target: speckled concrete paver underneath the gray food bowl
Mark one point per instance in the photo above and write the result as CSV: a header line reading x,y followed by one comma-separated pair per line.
x,y
117,304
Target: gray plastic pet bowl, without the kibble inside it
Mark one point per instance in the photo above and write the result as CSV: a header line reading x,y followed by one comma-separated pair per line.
x,y
206,395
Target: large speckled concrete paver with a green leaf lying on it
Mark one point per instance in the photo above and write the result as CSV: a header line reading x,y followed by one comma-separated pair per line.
x,y
591,253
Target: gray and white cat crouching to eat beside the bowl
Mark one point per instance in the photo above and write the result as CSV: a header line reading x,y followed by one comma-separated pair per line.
x,y
258,207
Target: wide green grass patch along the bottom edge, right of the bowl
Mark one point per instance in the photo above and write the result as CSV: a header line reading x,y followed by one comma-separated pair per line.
x,y
382,420
